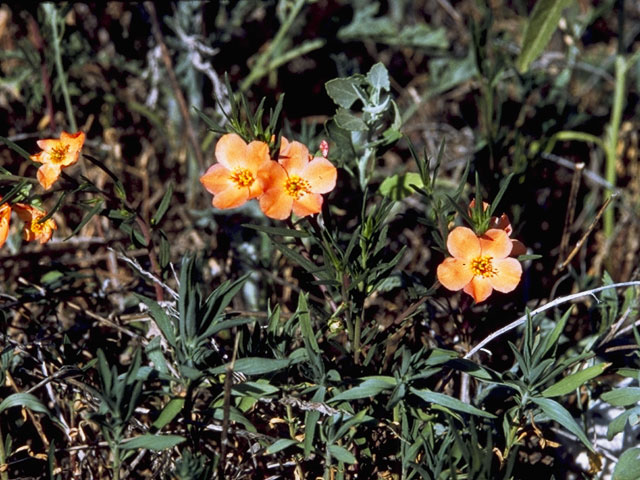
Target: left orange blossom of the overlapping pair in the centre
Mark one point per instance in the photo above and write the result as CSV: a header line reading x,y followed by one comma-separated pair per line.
x,y
234,179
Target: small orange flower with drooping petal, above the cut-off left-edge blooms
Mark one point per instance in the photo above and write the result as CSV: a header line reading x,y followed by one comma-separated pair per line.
x,y
57,154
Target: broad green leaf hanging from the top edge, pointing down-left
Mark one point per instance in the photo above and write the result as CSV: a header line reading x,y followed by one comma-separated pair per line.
x,y
539,29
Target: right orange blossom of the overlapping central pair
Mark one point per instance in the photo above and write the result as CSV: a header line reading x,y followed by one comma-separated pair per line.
x,y
296,182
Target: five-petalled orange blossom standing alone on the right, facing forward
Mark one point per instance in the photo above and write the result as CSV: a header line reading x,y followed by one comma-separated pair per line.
x,y
479,264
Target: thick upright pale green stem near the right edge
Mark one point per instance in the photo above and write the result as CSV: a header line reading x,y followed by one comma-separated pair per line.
x,y
611,143
